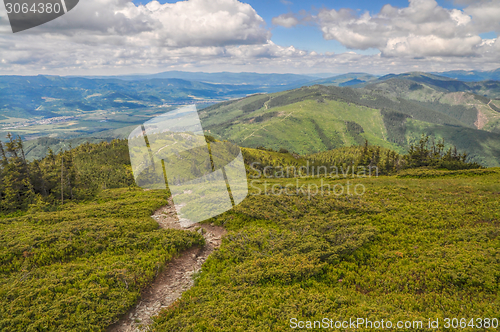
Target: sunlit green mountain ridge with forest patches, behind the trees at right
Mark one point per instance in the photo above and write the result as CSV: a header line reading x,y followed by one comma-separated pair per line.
x,y
393,114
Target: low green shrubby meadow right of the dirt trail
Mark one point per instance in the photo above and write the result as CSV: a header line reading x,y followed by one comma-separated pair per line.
x,y
409,249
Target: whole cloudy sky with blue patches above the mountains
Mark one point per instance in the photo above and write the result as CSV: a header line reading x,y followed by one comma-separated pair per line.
x,y
114,37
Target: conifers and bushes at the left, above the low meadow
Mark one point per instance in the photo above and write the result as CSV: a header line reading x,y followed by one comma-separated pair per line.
x,y
71,175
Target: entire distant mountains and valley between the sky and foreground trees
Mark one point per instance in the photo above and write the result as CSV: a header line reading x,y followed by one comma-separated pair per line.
x,y
302,113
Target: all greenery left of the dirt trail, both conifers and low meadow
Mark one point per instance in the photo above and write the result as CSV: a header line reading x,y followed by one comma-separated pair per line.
x,y
75,254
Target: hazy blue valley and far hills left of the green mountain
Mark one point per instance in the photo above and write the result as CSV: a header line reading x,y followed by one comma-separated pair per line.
x,y
99,107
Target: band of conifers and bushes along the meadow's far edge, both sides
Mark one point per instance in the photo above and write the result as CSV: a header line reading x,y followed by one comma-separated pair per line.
x,y
81,173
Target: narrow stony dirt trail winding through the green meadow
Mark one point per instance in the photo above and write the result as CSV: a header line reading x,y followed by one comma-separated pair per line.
x,y
175,278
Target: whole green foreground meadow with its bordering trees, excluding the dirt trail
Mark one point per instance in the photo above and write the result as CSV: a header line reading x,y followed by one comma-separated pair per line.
x,y
418,243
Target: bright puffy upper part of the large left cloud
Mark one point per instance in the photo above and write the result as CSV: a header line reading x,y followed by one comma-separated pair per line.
x,y
181,24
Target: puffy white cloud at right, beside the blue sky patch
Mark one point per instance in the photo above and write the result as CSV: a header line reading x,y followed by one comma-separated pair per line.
x,y
422,29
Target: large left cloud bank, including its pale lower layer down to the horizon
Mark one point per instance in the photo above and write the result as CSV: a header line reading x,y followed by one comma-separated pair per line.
x,y
116,34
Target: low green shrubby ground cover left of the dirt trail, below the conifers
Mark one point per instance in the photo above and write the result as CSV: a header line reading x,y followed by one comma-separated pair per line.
x,y
80,268
